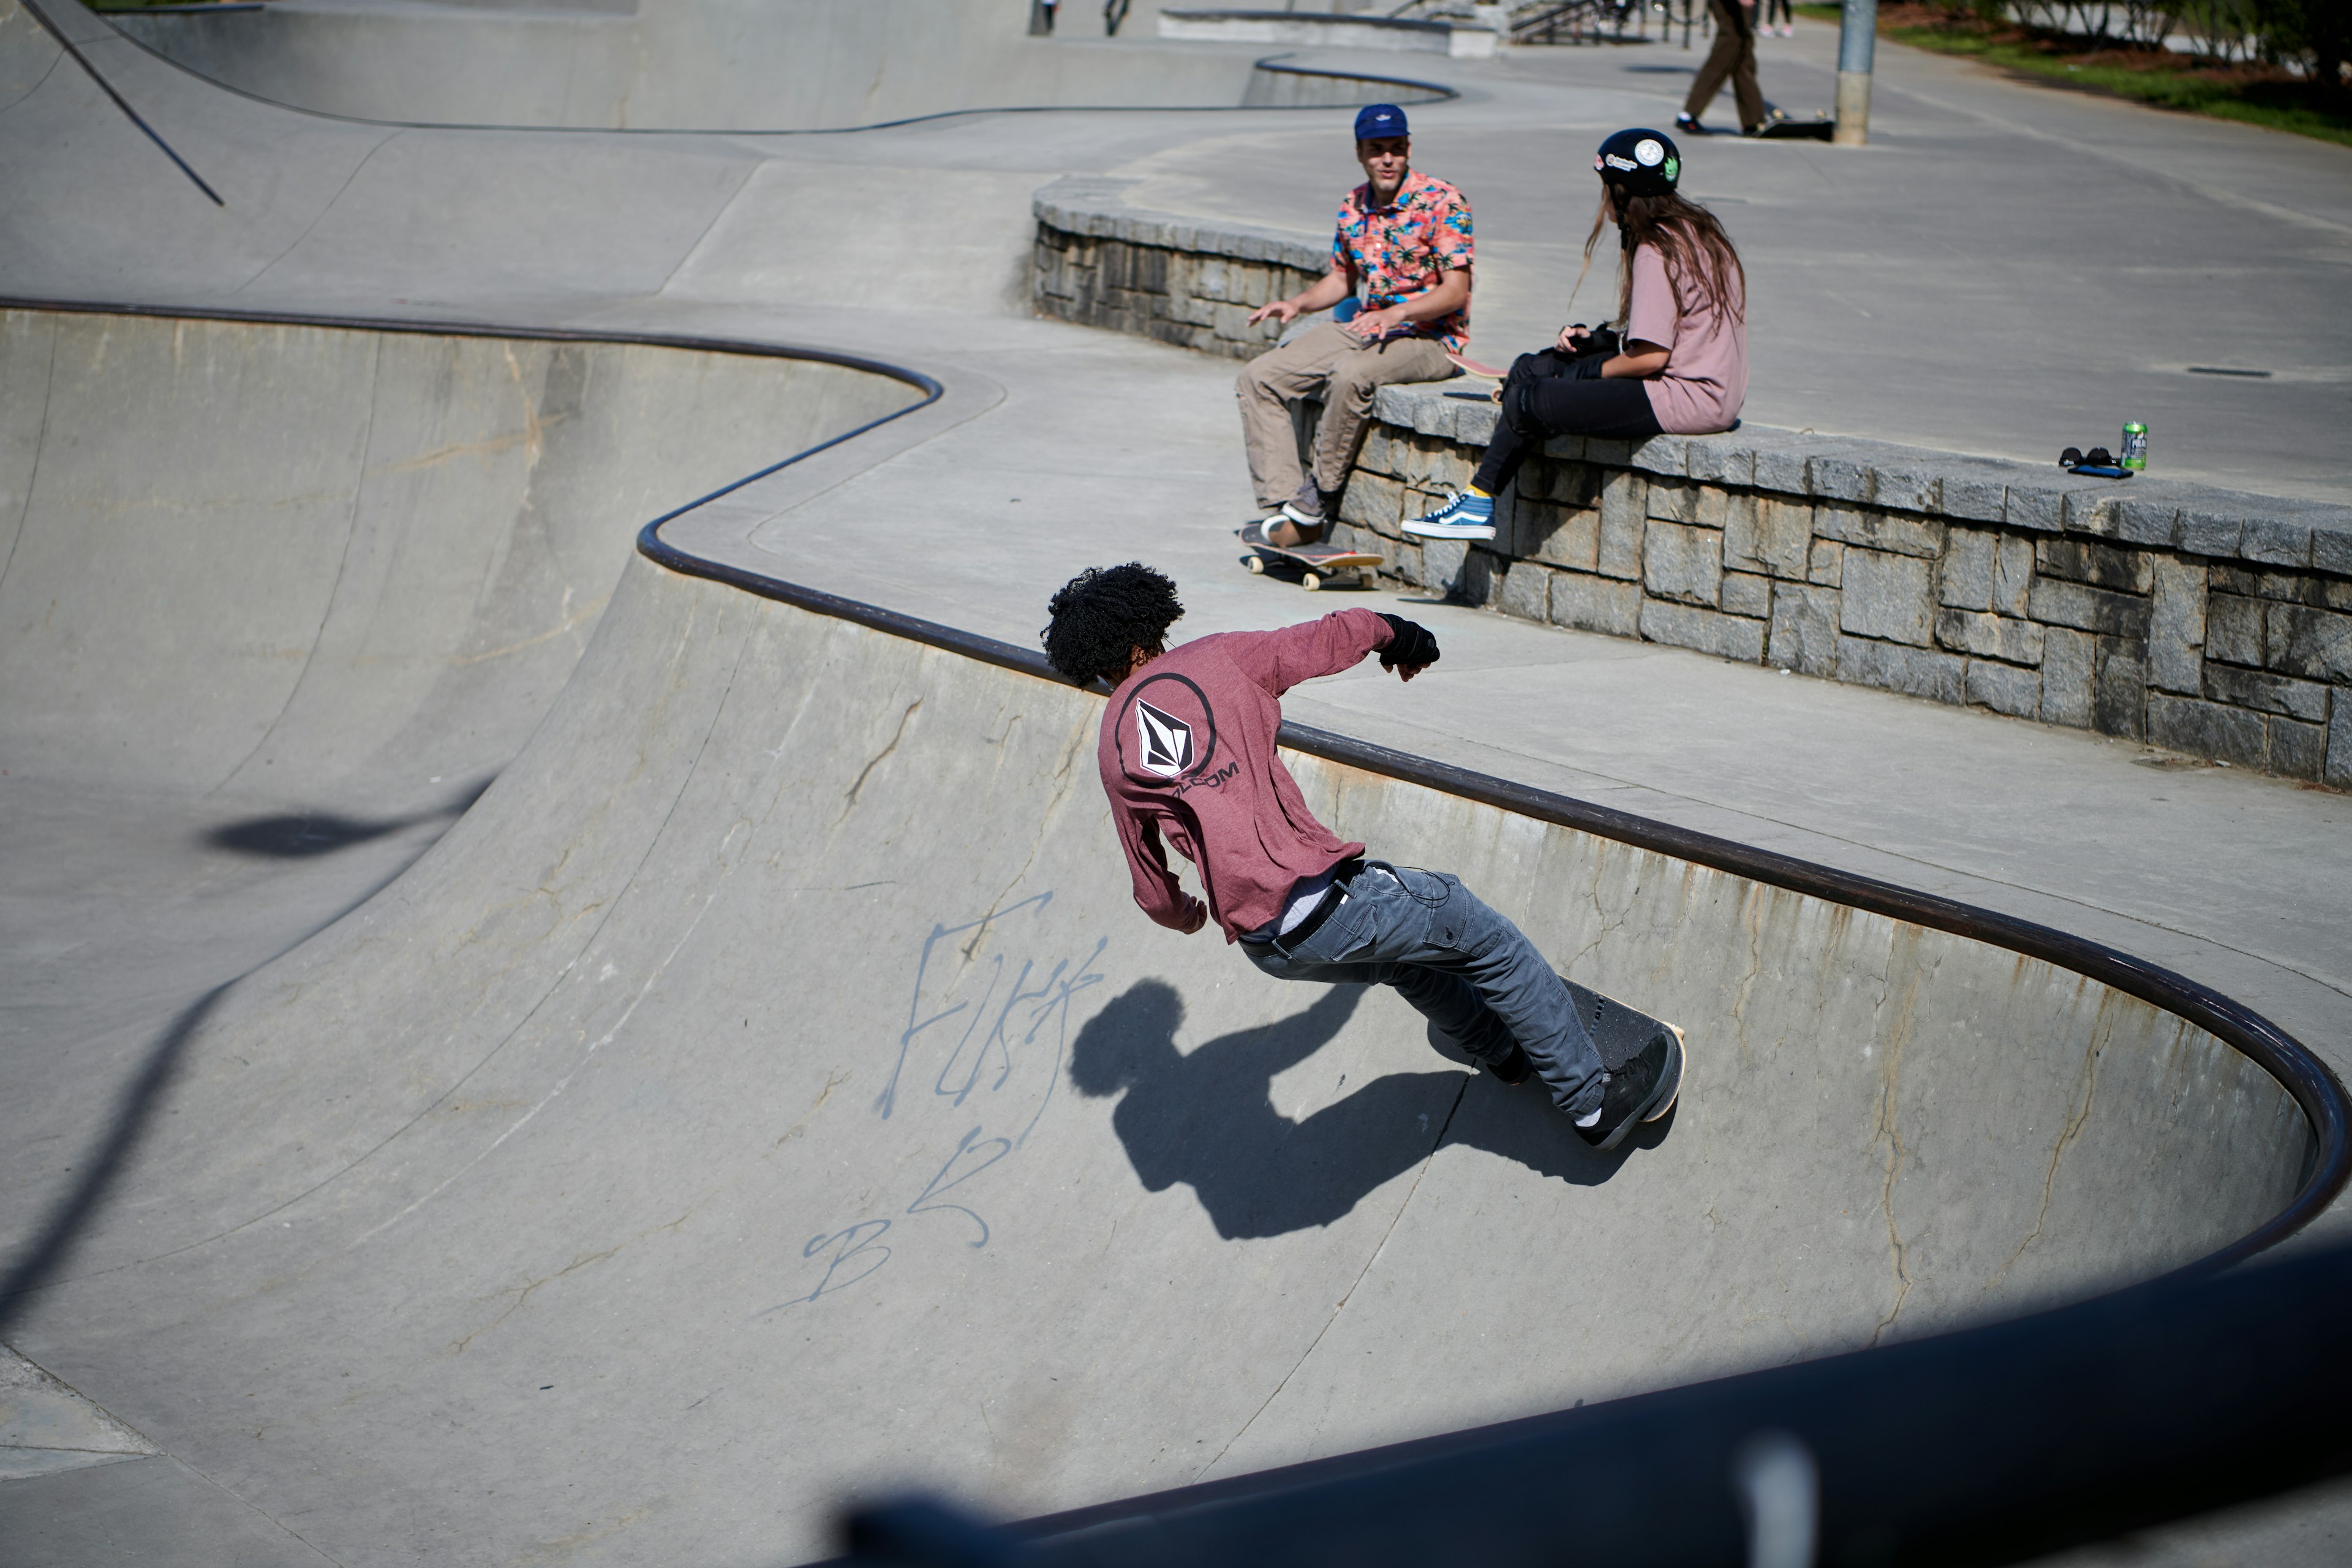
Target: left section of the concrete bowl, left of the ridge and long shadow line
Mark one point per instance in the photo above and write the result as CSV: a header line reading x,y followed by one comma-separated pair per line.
x,y
276,601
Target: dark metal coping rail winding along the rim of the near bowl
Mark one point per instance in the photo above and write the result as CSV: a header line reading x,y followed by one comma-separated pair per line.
x,y
2304,1076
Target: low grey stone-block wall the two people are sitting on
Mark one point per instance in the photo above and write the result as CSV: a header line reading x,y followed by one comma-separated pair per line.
x,y
2205,622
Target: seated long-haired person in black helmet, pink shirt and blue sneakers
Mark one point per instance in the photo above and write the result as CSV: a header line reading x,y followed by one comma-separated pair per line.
x,y
1673,363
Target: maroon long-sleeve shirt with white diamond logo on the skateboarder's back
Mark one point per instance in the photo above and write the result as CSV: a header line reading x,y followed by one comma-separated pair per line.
x,y
1189,758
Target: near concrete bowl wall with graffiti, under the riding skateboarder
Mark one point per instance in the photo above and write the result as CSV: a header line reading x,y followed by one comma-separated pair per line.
x,y
768,1090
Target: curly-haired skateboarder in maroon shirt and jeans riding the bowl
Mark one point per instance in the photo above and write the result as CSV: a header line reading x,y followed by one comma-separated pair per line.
x,y
1189,763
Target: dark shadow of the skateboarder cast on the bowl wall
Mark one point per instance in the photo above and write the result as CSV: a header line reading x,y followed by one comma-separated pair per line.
x,y
1205,1118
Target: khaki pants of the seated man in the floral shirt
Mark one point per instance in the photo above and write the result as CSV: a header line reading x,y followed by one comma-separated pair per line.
x,y
1330,361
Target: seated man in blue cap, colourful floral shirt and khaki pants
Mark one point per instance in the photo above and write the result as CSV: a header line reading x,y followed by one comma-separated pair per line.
x,y
1403,253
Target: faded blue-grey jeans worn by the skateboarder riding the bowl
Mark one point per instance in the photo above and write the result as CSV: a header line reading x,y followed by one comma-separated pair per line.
x,y
1462,965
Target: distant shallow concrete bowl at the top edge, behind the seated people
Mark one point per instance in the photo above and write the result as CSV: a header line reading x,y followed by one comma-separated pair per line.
x,y
719,65
